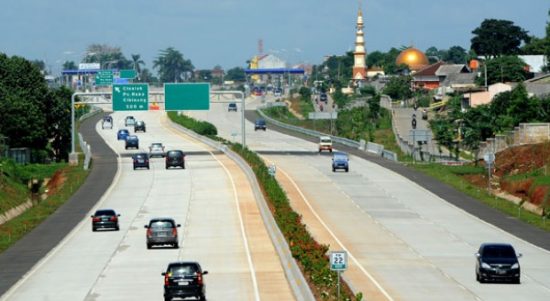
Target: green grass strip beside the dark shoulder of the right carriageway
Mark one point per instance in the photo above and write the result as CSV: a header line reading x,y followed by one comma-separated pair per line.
x,y
451,175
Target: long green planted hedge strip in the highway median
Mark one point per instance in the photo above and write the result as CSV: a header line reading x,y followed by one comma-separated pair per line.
x,y
311,256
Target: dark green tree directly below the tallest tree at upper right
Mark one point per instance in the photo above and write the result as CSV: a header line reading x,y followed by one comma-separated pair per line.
x,y
504,69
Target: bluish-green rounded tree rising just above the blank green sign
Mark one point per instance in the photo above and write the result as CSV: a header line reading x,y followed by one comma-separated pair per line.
x,y
172,66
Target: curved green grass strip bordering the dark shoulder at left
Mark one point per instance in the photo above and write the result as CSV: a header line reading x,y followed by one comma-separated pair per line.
x,y
15,229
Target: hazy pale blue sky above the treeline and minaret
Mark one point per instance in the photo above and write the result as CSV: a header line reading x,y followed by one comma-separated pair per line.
x,y
226,32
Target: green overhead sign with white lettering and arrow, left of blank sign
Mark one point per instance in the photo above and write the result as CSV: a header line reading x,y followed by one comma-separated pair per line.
x,y
131,97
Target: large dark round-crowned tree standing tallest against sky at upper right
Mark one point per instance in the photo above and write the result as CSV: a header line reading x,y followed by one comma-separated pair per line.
x,y
494,38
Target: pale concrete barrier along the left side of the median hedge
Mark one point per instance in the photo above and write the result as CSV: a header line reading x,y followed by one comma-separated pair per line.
x,y
296,279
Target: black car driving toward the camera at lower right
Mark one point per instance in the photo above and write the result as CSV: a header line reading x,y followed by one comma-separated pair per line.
x,y
497,261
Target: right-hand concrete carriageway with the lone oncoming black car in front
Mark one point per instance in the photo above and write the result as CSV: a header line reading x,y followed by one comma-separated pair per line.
x,y
405,242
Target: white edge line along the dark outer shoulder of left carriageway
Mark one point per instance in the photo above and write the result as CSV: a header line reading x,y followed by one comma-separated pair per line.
x,y
71,234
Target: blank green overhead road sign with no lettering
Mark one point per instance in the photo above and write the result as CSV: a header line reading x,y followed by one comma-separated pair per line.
x,y
187,96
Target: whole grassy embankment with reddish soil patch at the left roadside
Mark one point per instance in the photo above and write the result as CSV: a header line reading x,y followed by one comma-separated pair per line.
x,y
17,187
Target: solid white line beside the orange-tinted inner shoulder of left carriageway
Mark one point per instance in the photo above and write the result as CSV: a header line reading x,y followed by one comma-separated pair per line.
x,y
236,197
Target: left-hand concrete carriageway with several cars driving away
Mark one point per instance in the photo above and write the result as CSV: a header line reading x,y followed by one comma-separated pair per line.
x,y
211,199
